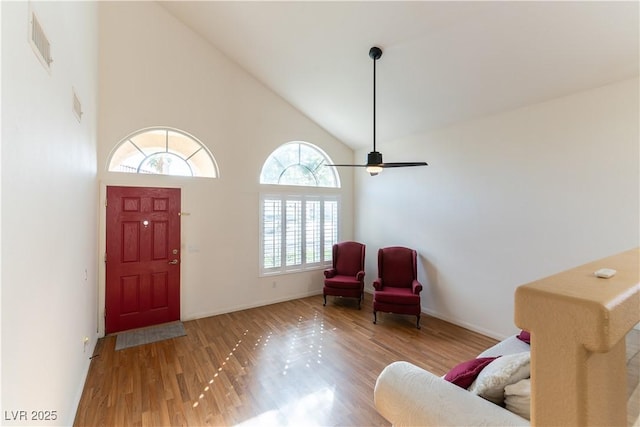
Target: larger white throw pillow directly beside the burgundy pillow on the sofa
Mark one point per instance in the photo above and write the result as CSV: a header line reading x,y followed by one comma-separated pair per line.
x,y
503,371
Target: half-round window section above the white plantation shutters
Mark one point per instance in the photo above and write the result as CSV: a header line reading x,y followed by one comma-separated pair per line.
x,y
299,163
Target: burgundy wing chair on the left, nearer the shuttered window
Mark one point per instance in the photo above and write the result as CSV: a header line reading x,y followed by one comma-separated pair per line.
x,y
346,278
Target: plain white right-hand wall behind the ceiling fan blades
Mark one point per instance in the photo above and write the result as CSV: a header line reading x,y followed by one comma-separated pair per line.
x,y
508,199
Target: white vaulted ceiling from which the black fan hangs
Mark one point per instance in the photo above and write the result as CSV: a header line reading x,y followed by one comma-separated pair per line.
x,y
442,62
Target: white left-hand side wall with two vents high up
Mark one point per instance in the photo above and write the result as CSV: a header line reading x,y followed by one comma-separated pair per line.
x,y
49,221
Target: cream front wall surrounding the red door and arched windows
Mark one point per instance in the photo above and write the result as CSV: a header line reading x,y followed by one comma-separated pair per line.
x,y
156,72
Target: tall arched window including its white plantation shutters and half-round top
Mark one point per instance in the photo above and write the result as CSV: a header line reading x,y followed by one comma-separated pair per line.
x,y
298,228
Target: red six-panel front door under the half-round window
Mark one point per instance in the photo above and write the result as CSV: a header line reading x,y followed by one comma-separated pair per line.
x,y
143,257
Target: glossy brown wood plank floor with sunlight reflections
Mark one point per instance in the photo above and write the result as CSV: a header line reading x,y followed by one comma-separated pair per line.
x,y
293,363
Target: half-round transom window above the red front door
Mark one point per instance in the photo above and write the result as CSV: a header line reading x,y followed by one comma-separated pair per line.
x,y
163,151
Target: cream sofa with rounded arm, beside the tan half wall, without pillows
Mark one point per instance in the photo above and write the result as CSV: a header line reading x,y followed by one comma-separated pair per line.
x,y
407,395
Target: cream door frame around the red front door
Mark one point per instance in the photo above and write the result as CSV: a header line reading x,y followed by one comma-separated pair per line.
x,y
102,241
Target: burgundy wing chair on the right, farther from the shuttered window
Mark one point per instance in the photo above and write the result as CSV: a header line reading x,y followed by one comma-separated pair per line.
x,y
397,290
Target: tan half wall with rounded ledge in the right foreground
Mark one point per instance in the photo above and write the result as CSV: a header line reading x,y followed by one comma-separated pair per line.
x,y
578,323
